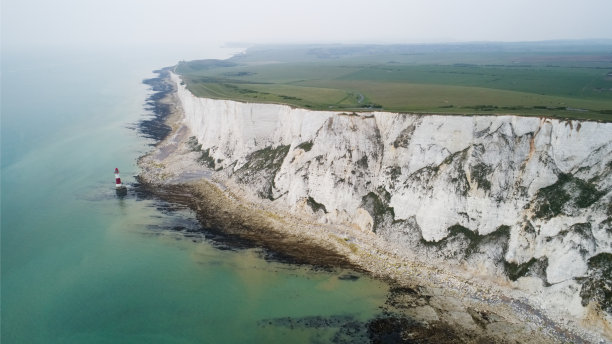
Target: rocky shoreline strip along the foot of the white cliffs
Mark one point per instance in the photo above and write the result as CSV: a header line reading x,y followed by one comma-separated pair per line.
x,y
427,304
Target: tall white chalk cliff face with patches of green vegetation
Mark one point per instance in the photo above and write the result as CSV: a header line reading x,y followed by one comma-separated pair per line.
x,y
523,199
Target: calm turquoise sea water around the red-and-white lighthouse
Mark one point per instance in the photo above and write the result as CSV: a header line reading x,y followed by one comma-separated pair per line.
x,y
80,265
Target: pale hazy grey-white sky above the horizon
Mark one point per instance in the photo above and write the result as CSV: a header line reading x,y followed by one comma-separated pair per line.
x,y
126,23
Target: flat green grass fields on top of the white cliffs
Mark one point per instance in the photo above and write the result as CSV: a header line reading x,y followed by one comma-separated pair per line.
x,y
565,80
